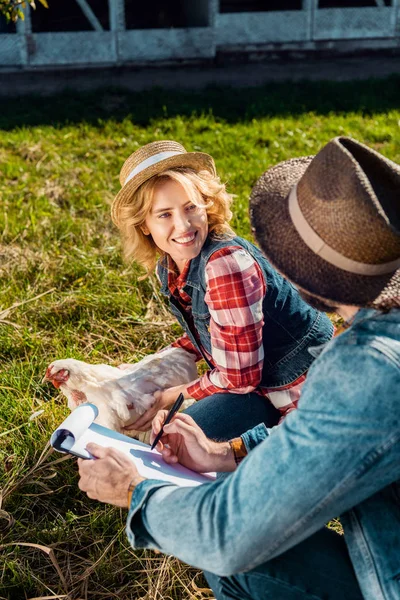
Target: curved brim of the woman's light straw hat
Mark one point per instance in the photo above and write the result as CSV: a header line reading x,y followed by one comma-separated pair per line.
x,y
198,161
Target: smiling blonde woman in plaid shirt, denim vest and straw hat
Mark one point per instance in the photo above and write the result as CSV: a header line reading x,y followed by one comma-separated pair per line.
x,y
238,314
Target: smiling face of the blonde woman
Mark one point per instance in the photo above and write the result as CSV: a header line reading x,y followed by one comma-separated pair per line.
x,y
177,226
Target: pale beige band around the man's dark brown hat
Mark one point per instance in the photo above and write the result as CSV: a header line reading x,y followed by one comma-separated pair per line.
x,y
326,252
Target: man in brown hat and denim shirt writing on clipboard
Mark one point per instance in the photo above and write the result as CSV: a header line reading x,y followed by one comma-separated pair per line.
x,y
331,225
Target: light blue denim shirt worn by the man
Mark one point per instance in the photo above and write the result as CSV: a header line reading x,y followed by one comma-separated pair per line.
x,y
337,454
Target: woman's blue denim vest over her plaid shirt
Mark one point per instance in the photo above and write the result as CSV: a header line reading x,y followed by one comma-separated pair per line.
x,y
290,328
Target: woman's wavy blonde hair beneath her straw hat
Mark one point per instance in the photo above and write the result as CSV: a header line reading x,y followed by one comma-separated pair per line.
x,y
201,186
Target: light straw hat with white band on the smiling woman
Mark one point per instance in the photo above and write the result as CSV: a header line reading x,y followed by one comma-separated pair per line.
x,y
150,160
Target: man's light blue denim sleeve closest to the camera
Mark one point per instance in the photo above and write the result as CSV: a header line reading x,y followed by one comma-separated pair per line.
x,y
339,447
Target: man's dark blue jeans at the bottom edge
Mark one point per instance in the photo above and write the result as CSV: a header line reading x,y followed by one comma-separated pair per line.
x,y
317,569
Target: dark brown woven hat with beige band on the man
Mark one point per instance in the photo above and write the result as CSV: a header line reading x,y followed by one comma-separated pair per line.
x,y
331,223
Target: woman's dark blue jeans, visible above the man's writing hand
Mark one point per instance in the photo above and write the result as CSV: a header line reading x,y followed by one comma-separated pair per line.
x,y
226,416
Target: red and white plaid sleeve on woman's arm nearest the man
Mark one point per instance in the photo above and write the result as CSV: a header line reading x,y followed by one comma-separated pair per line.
x,y
235,291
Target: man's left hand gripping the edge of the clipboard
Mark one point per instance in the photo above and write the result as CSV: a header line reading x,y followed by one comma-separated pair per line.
x,y
107,477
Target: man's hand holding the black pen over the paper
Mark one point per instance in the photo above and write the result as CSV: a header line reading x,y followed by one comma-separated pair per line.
x,y
183,441
